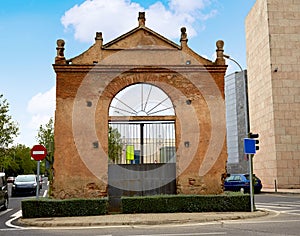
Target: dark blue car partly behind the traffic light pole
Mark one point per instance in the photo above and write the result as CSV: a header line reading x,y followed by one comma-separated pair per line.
x,y
241,182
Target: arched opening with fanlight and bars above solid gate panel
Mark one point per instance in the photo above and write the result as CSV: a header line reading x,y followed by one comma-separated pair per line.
x,y
141,126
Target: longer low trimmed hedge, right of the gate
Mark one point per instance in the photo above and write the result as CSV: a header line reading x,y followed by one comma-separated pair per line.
x,y
186,203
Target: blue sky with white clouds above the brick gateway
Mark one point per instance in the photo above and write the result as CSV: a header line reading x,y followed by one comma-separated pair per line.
x,y
29,30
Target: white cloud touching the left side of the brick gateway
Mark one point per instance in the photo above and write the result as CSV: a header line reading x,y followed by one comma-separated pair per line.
x,y
41,108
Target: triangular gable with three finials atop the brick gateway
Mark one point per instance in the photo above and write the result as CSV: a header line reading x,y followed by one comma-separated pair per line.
x,y
144,42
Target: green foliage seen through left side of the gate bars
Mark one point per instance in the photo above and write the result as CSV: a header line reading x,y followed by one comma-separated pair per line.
x,y
114,144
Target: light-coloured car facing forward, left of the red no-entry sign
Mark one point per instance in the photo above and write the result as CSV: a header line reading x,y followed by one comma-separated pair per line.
x,y
25,184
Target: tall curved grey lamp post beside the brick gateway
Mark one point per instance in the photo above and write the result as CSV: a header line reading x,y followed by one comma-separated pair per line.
x,y
247,129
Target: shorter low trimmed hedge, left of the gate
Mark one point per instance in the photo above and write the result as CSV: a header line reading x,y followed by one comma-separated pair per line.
x,y
45,207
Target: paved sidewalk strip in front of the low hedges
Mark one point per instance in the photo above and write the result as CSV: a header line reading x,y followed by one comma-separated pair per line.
x,y
139,219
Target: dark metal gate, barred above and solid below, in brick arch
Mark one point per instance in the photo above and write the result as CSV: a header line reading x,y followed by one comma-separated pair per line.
x,y
142,159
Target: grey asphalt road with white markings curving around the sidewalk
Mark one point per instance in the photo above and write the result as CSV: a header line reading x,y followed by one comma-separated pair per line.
x,y
284,219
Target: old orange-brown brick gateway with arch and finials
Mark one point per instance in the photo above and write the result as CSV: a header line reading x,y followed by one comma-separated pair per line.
x,y
94,116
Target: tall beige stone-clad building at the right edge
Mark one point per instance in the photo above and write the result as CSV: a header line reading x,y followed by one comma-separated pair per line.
x,y
273,60
